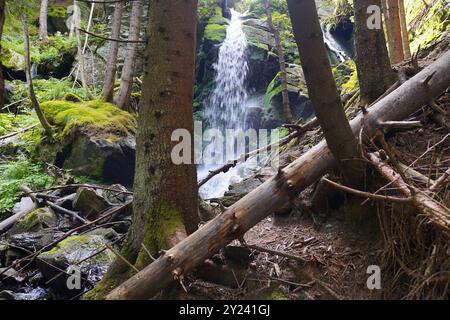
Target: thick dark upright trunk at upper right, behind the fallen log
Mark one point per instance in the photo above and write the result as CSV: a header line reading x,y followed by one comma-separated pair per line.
x,y
372,61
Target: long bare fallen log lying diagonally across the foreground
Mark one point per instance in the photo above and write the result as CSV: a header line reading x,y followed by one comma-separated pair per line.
x,y
280,189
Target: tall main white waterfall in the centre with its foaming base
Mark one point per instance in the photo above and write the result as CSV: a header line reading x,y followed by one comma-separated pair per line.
x,y
226,106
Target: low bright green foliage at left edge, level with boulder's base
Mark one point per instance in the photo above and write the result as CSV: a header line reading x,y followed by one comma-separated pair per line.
x,y
17,173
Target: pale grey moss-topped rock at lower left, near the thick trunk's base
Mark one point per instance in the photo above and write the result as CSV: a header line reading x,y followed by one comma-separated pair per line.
x,y
78,251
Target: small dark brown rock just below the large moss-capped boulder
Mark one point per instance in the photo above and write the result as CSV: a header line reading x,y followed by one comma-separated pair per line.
x,y
89,202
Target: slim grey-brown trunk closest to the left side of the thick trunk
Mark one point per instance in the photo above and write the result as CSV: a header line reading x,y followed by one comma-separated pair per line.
x,y
126,81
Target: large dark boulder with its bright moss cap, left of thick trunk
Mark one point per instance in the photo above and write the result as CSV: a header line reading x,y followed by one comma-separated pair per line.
x,y
94,139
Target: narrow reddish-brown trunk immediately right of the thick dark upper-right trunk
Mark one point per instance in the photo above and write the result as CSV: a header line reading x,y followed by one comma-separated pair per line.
x,y
393,23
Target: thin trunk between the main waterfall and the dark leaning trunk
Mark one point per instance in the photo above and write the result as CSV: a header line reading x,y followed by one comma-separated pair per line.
x,y
281,59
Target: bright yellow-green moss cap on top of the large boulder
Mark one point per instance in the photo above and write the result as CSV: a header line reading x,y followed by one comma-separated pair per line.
x,y
95,117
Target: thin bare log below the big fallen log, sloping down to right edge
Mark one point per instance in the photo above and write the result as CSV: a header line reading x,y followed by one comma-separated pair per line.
x,y
438,214
